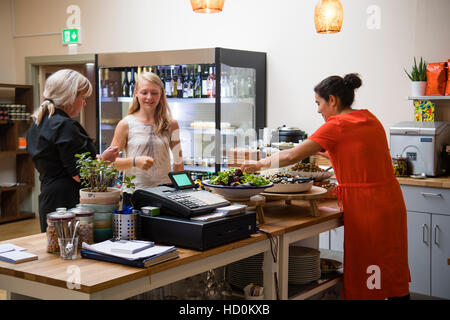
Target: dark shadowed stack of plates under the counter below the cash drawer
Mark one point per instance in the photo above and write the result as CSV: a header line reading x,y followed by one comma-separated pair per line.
x,y
246,271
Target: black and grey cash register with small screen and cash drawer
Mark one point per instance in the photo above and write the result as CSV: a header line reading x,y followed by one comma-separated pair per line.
x,y
180,221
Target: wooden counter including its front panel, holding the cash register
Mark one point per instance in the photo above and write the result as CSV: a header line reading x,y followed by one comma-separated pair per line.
x,y
48,277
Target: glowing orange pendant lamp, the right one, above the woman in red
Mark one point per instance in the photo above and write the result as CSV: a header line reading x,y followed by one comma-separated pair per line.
x,y
328,16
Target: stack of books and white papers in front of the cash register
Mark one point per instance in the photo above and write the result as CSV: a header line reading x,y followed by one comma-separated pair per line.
x,y
134,253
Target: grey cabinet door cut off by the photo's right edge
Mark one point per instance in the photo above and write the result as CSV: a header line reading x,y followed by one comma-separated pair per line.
x,y
440,252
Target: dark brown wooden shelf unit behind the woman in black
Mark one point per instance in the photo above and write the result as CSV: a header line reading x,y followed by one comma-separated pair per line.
x,y
12,197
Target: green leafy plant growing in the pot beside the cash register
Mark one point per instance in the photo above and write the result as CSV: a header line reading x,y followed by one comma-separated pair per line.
x,y
97,175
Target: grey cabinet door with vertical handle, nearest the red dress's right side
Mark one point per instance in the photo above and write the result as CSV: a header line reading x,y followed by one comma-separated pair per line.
x,y
419,251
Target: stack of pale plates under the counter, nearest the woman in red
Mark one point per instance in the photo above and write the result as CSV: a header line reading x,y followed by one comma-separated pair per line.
x,y
304,265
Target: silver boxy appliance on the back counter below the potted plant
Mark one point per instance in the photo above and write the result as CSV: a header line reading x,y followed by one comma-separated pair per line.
x,y
423,144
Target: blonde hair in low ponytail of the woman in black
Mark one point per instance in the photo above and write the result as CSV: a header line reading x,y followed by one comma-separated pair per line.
x,y
60,91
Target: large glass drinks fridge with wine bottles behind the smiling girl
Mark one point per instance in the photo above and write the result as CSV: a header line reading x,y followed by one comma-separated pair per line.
x,y
217,95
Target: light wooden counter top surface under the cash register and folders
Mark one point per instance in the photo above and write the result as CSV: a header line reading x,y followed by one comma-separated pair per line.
x,y
97,275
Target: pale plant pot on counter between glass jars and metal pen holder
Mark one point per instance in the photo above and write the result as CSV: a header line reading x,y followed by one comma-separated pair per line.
x,y
104,204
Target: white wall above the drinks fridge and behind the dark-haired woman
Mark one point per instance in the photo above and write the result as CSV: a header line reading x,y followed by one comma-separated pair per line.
x,y
298,58
